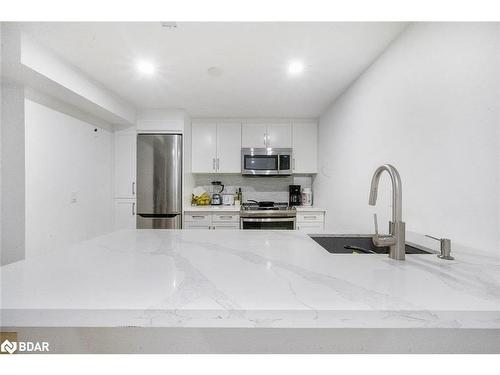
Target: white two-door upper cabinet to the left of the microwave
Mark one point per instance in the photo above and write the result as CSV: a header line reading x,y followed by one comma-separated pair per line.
x,y
216,148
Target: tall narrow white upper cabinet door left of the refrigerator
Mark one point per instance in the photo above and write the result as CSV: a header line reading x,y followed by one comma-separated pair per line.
x,y
124,164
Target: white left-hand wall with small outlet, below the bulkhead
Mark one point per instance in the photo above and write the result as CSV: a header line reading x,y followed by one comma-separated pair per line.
x,y
65,155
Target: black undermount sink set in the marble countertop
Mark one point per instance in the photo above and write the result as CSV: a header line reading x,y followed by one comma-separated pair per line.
x,y
357,244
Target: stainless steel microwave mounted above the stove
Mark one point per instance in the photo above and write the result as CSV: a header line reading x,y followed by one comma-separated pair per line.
x,y
266,161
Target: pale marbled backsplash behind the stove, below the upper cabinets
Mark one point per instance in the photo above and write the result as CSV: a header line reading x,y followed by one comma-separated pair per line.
x,y
257,188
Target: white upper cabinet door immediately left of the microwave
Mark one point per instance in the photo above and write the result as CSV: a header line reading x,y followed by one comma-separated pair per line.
x,y
229,148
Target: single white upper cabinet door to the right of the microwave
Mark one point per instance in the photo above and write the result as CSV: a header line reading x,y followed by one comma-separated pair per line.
x,y
305,148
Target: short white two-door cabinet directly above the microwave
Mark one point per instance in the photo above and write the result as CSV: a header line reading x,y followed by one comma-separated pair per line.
x,y
277,135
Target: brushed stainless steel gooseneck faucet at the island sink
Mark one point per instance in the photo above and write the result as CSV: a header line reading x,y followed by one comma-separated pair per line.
x,y
396,238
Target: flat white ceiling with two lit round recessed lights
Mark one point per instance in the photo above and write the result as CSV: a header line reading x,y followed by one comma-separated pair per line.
x,y
253,58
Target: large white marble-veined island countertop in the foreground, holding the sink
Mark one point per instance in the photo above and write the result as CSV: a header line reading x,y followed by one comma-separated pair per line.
x,y
194,278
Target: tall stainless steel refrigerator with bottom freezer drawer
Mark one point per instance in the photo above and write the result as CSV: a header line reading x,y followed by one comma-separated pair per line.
x,y
159,181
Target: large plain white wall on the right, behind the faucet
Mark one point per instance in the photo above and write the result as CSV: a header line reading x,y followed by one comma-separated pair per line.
x,y
430,106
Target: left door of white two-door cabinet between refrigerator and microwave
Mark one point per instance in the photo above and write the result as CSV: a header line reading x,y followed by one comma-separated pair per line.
x,y
204,148
